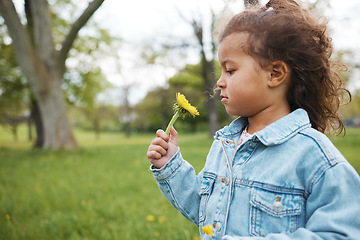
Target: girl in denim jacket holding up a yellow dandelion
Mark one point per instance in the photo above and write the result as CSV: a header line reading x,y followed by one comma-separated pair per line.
x,y
272,173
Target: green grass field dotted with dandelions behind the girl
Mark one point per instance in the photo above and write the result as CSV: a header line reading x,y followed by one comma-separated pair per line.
x,y
101,191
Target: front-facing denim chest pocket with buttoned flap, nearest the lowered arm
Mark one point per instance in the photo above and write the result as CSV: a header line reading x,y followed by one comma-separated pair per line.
x,y
273,212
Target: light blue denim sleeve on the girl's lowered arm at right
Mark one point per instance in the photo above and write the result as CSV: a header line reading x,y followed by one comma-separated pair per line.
x,y
332,208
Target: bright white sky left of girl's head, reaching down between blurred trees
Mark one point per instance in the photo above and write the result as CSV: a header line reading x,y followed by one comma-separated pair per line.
x,y
139,22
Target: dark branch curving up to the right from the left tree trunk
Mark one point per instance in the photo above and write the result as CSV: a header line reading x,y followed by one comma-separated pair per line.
x,y
70,38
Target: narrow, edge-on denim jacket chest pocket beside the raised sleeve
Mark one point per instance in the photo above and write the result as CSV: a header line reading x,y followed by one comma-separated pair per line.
x,y
205,191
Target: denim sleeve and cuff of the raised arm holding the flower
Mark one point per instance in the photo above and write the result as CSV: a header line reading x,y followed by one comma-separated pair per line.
x,y
179,184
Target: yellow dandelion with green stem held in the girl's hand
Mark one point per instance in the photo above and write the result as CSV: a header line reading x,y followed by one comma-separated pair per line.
x,y
181,107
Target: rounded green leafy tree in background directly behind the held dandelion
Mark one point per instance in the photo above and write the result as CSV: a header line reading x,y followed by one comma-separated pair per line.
x,y
156,109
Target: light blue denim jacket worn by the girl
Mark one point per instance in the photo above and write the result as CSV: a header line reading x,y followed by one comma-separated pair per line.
x,y
287,182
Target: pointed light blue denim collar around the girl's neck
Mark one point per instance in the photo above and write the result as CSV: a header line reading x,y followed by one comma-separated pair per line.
x,y
276,133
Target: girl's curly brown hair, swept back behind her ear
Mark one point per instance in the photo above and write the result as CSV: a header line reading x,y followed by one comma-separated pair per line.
x,y
283,30
